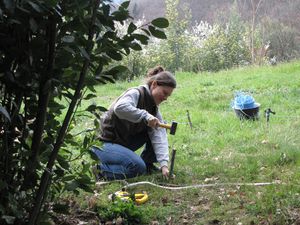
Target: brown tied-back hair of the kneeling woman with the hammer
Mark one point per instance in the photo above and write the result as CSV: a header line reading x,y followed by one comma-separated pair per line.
x,y
162,77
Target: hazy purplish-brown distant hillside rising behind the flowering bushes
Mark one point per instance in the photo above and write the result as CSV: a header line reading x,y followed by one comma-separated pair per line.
x,y
210,10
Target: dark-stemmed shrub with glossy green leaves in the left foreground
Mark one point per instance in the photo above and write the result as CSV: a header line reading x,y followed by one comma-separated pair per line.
x,y
52,55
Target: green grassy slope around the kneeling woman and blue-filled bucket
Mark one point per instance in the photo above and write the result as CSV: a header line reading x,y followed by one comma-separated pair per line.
x,y
222,149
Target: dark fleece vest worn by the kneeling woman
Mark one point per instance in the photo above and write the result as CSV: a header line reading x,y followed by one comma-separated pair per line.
x,y
122,131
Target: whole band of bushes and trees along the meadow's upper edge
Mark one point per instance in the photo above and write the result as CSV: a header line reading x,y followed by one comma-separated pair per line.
x,y
240,33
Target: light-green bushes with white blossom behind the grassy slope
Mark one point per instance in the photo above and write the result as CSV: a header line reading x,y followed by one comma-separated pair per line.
x,y
201,47
